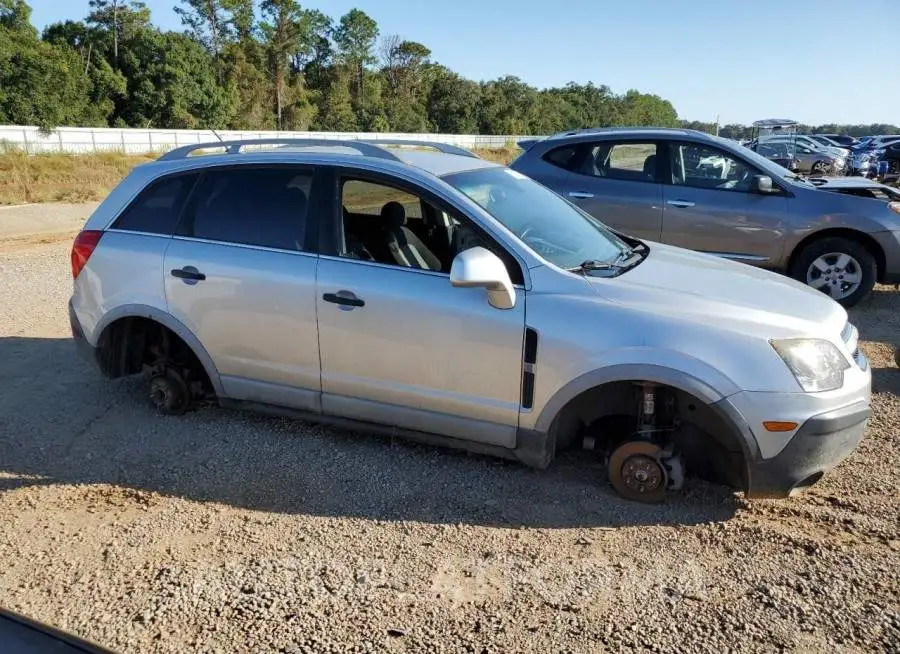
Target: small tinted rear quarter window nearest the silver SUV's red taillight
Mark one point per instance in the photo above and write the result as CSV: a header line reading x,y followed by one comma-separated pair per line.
x,y
157,209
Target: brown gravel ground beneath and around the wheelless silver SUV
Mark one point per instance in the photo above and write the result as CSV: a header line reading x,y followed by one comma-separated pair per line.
x,y
226,532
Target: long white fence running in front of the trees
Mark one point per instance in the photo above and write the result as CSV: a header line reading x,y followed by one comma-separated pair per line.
x,y
138,141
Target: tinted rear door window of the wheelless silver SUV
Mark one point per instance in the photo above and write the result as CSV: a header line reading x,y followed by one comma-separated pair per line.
x,y
262,206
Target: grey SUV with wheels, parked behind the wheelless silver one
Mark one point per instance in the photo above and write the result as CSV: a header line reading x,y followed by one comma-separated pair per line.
x,y
710,194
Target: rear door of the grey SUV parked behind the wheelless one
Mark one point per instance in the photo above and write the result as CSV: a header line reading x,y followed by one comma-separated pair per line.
x,y
617,182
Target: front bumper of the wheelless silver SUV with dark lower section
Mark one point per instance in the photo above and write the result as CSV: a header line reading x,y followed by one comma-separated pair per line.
x,y
820,444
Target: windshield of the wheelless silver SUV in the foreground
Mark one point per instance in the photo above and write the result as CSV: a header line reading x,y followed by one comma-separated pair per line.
x,y
553,228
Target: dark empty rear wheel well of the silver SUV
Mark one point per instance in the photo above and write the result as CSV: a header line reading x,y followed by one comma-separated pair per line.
x,y
129,344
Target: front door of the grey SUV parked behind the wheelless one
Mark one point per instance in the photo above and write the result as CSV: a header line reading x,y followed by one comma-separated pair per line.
x,y
709,206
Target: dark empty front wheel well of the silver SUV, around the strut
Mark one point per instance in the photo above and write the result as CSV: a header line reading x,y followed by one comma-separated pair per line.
x,y
712,447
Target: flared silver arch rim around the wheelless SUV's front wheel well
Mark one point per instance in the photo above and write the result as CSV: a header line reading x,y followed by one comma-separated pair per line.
x,y
642,364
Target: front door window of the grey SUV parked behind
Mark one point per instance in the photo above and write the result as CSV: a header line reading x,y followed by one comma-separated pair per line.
x,y
702,166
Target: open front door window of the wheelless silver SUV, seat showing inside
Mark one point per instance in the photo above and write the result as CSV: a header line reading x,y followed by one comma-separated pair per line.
x,y
390,226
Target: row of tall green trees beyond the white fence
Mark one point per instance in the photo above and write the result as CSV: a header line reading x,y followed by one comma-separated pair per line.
x,y
271,64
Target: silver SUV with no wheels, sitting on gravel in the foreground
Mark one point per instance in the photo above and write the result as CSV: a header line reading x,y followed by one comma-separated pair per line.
x,y
444,298
